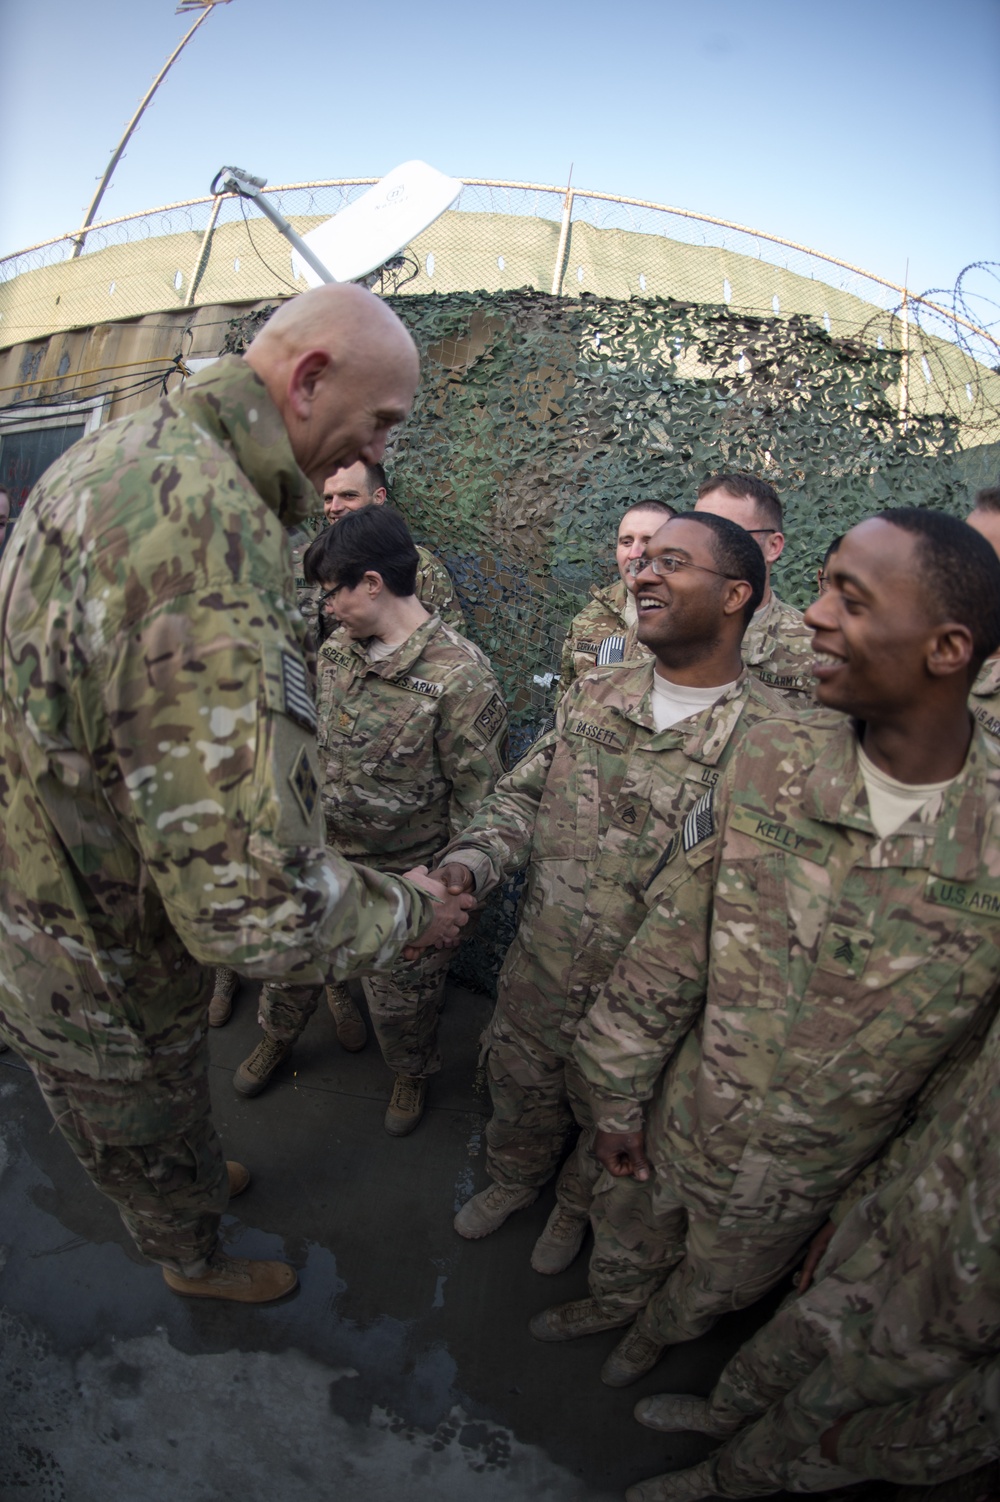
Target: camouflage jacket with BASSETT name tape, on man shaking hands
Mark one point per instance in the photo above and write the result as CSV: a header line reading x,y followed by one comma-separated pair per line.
x,y
595,806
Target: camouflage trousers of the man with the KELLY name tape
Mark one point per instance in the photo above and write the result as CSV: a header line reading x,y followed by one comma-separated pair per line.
x,y
679,1265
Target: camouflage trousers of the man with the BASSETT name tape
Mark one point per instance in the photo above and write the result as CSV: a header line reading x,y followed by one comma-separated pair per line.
x,y
538,1103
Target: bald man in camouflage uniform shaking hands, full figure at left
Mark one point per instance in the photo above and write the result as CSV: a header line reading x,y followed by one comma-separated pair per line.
x,y
158,792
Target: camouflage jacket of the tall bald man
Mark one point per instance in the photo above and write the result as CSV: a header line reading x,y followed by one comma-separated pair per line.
x,y
158,762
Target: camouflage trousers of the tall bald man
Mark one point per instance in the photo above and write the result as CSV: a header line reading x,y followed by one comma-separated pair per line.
x,y
151,1147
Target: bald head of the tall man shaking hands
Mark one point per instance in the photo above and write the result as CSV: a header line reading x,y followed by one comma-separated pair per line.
x,y
342,370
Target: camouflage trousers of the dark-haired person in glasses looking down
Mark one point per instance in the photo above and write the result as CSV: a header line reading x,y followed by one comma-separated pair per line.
x,y
405,1006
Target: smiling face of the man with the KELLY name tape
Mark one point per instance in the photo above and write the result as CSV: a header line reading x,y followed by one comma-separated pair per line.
x,y
875,629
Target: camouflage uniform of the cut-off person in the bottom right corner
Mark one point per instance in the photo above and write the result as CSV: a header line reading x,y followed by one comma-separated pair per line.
x,y
906,1309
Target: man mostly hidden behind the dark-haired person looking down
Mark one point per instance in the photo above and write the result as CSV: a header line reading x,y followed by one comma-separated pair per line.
x,y
346,490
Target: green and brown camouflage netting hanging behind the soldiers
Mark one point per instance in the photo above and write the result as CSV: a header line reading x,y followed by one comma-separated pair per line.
x,y
541,418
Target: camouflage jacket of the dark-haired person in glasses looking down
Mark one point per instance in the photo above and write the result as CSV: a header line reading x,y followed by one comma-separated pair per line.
x,y
411,746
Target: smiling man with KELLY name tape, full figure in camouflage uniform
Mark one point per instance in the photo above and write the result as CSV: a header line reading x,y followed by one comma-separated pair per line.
x,y
855,941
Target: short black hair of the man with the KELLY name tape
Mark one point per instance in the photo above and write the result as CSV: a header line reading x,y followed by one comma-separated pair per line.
x,y
962,572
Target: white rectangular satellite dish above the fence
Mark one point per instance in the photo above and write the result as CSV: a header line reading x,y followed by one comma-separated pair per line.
x,y
379,225
